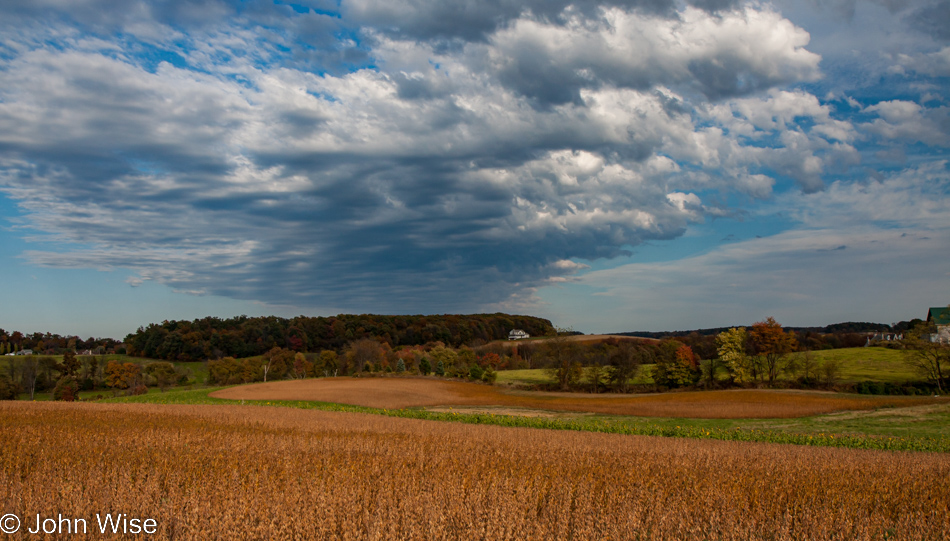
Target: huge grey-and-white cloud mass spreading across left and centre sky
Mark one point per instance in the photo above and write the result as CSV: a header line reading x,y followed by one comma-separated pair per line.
x,y
374,160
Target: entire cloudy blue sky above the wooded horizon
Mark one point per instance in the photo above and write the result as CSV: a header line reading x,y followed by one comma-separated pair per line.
x,y
610,165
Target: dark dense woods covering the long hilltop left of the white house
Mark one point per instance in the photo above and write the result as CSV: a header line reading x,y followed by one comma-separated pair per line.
x,y
243,336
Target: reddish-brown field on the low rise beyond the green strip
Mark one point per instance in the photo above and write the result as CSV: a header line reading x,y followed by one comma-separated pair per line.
x,y
393,393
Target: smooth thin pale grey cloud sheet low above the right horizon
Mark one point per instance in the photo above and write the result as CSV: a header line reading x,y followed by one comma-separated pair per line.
x,y
868,252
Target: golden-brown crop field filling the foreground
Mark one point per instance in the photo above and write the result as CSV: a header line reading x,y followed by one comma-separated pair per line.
x,y
245,472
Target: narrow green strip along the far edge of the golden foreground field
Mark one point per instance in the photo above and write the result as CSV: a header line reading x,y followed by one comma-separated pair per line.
x,y
607,426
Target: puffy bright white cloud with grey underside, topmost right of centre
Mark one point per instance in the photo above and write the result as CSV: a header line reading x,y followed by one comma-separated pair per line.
x,y
734,53
